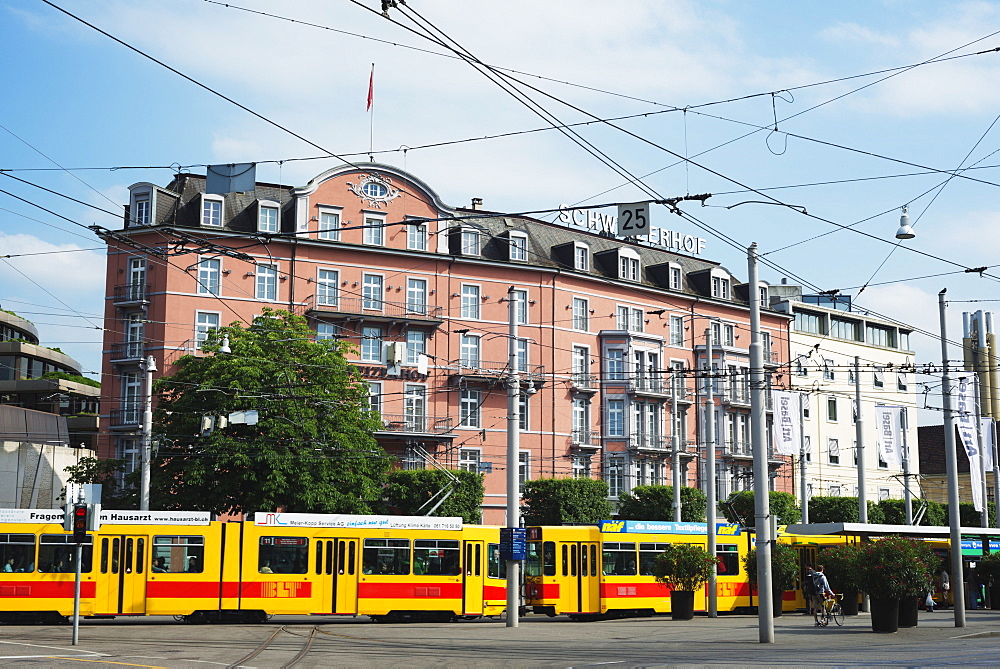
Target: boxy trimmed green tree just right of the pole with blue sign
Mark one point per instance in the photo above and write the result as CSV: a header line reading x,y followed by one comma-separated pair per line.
x,y
566,501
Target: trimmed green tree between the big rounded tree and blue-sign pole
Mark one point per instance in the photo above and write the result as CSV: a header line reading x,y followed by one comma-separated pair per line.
x,y
408,491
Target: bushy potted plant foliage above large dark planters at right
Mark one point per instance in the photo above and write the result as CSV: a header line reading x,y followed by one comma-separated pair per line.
x,y
895,567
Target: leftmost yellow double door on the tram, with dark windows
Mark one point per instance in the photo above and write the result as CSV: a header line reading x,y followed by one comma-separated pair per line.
x,y
122,585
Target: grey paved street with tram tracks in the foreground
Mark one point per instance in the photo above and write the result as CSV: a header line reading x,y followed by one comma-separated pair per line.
x,y
538,642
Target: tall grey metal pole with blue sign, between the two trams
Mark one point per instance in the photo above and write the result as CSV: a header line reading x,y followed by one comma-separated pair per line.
x,y
513,442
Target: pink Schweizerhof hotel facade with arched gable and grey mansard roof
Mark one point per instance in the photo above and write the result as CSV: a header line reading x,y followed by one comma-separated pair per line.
x,y
609,330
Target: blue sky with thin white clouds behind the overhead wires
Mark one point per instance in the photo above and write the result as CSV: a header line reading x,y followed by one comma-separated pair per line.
x,y
76,99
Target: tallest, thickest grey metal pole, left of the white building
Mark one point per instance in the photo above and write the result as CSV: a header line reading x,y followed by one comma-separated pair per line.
x,y
758,436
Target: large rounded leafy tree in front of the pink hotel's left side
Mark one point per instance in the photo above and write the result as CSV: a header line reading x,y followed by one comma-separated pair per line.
x,y
312,449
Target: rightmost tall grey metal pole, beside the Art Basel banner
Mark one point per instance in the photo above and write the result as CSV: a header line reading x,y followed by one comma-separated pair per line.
x,y
951,465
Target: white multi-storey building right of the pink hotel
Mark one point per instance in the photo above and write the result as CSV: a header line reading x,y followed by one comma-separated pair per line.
x,y
826,337
